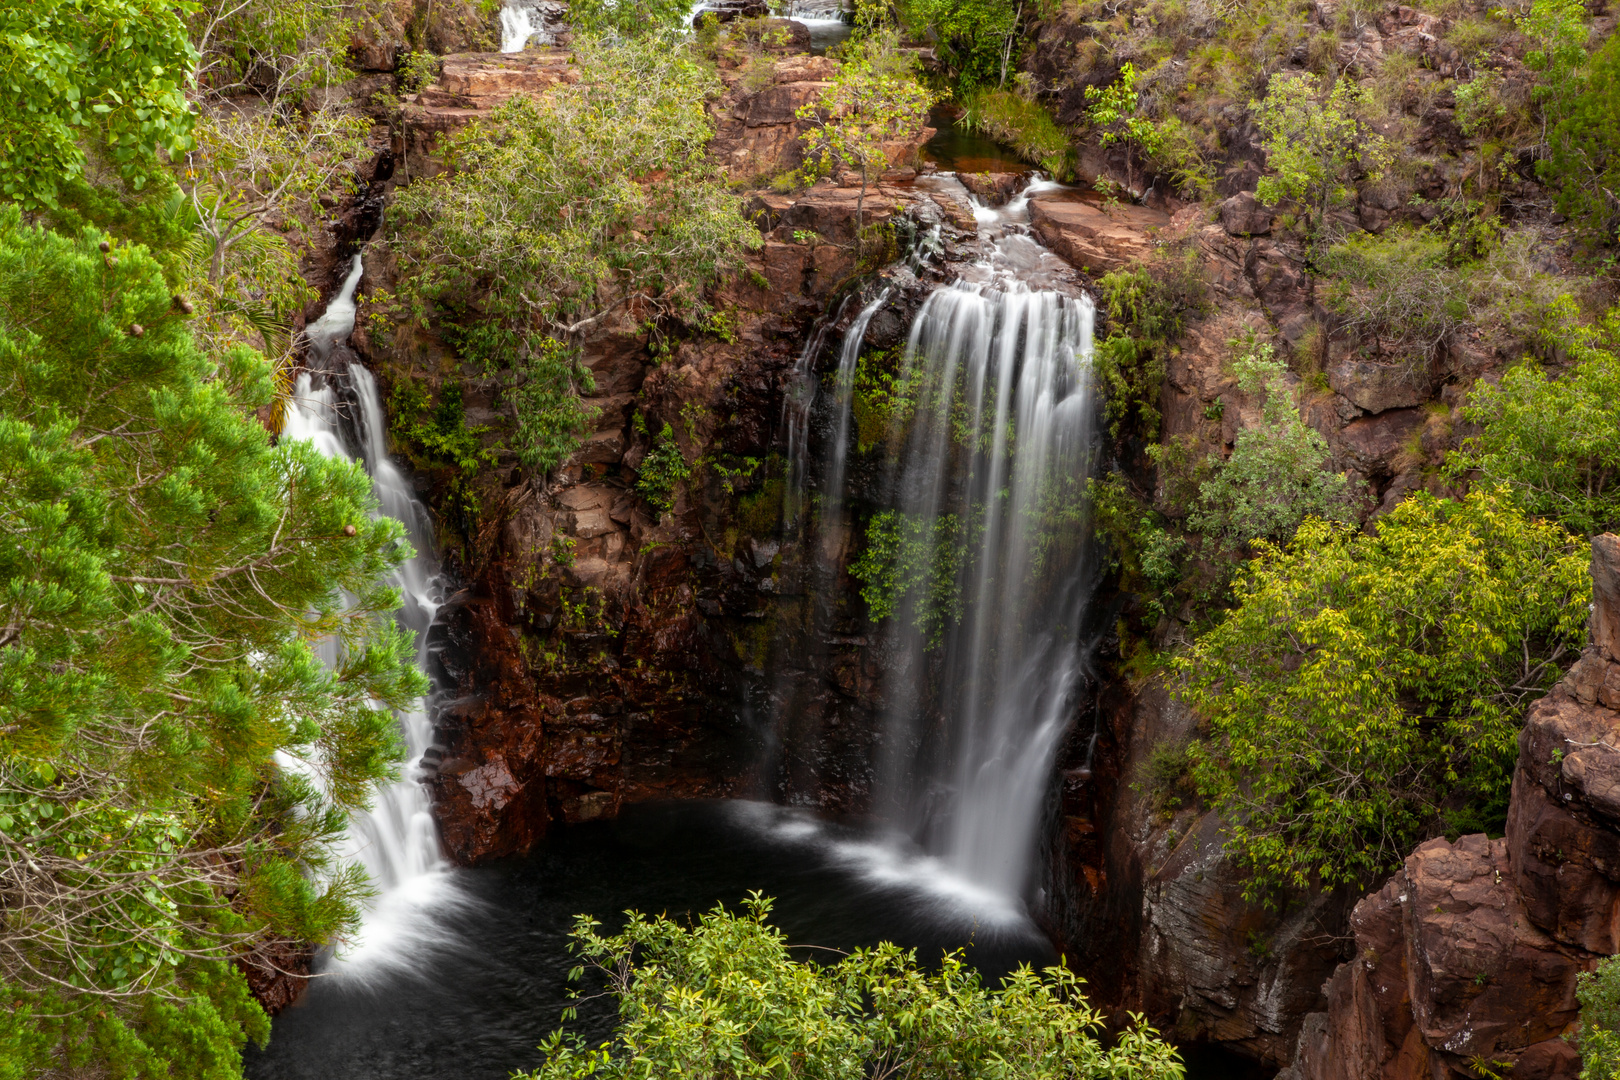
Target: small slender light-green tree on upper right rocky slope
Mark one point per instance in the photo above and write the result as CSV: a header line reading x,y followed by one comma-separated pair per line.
x,y
1316,147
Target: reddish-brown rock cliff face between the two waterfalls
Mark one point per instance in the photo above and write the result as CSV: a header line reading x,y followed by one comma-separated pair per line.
x,y
603,652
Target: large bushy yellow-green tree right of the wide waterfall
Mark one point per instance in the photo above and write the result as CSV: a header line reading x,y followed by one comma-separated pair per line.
x,y
1368,691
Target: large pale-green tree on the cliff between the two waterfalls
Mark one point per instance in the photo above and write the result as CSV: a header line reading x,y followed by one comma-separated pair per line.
x,y
560,211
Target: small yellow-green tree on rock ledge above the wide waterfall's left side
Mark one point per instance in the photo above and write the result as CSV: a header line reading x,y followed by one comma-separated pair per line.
x,y
872,103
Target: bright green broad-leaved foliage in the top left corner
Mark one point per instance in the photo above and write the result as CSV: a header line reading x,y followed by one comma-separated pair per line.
x,y
106,77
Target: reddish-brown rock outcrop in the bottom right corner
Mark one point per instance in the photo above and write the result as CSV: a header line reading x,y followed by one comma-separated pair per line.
x,y
1473,948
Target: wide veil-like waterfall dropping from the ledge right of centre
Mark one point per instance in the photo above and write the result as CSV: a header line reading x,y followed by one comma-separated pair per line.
x,y
984,504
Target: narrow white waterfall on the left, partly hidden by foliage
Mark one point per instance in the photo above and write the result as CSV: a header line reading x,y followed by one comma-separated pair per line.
x,y
398,843
